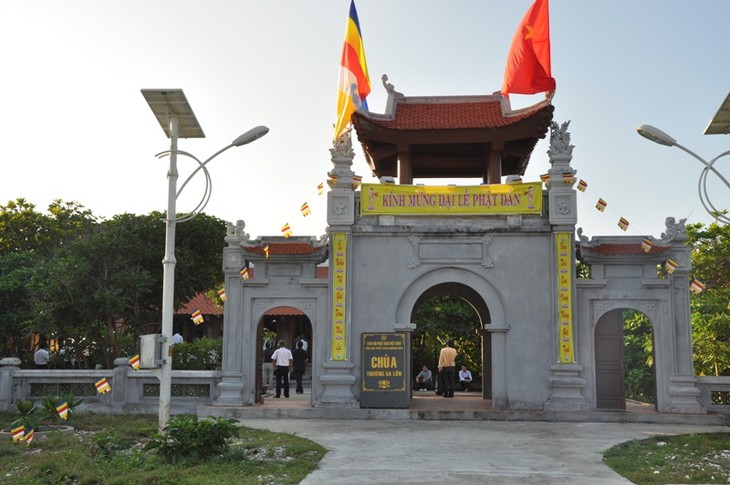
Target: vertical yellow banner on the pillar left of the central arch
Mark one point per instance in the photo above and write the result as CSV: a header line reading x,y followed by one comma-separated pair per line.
x,y
339,295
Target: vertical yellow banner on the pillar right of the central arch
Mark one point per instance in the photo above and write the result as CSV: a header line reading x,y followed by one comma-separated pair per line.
x,y
565,297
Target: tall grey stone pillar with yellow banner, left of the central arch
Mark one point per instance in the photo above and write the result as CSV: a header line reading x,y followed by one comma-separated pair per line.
x,y
336,340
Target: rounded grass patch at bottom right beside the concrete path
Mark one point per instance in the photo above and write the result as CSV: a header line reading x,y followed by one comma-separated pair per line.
x,y
688,458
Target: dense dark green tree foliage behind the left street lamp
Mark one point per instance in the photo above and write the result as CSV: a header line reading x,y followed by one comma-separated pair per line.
x,y
90,283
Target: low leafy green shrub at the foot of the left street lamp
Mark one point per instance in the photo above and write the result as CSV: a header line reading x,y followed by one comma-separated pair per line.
x,y
187,438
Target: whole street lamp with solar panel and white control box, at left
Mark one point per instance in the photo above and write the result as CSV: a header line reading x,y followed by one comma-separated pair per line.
x,y
172,110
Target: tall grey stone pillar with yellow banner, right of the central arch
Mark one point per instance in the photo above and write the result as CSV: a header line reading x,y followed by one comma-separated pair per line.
x,y
565,381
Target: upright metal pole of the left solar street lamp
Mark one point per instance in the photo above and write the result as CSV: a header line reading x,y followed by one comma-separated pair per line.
x,y
168,281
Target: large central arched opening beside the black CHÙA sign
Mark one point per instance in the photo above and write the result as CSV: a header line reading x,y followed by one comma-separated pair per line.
x,y
457,312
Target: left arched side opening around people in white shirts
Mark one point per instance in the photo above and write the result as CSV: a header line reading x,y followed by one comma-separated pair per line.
x,y
281,323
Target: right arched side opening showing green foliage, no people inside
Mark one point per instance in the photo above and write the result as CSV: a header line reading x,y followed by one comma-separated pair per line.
x,y
624,354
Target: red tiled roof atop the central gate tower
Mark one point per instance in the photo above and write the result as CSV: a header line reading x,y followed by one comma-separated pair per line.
x,y
453,115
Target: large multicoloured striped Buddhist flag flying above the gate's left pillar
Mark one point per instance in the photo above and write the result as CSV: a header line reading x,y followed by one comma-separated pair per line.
x,y
354,84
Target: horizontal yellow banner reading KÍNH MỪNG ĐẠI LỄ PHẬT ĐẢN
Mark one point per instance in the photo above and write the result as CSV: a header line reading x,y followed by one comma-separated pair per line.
x,y
384,199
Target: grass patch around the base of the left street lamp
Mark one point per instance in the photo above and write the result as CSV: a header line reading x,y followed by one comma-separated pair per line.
x,y
109,449
